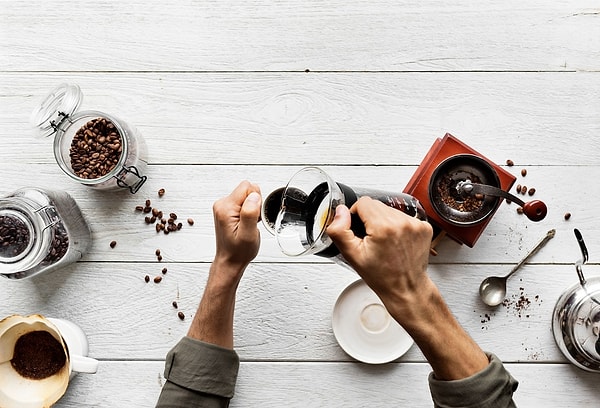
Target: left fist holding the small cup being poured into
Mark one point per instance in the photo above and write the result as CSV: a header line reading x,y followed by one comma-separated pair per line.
x,y
237,235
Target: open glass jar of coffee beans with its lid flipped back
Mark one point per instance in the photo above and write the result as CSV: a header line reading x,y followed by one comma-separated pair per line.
x,y
94,148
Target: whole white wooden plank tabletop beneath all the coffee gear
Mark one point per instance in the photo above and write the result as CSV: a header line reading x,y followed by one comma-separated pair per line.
x,y
232,90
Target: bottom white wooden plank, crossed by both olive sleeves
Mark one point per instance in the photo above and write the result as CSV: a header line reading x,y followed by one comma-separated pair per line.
x,y
332,385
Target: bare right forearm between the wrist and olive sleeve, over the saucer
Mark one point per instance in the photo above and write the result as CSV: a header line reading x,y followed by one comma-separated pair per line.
x,y
451,352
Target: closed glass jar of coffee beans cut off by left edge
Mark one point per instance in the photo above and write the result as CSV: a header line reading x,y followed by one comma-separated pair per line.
x,y
40,231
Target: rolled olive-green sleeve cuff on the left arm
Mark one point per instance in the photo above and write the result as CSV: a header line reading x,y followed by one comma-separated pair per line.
x,y
199,374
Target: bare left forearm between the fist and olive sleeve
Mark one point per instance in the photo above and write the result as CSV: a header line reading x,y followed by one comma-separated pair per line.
x,y
213,322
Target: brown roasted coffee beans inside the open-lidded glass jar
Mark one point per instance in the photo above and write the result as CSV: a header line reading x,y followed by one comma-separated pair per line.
x,y
95,149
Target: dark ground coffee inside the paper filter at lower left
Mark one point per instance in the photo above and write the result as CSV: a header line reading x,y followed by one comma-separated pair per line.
x,y
38,355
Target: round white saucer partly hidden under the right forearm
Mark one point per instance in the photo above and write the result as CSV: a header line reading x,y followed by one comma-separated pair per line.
x,y
364,328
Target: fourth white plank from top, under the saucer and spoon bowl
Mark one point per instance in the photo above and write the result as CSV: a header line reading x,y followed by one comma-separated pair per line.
x,y
283,311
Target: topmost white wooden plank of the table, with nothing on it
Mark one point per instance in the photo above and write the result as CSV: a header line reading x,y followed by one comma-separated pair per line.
x,y
329,35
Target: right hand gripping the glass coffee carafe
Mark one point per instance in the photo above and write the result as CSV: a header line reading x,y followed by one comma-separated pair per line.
x,y
392,258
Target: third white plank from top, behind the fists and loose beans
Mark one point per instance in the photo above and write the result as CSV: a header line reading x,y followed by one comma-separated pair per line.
x,y
191,191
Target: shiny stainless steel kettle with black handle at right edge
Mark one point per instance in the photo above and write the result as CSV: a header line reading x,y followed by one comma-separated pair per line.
x,y
576,318
